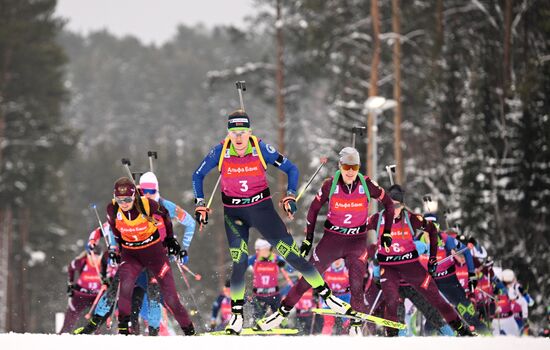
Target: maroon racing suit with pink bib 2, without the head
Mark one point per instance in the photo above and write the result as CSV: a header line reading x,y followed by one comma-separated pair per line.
x,y
345,232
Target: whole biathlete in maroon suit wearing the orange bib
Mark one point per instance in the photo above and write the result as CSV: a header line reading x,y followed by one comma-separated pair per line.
x,y
136,222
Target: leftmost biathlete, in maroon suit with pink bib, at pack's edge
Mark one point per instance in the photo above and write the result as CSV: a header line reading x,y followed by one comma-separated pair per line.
x,y
83,292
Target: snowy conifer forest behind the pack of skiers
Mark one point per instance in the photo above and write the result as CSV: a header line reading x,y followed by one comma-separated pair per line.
x,y
475,94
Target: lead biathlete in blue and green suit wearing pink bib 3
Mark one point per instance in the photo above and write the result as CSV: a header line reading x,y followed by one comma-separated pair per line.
x,y
242,160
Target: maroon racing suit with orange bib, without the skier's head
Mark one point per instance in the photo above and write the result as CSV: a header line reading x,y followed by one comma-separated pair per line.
x,y
142,248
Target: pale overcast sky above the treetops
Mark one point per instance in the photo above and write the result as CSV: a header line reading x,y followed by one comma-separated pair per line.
x,y
150,20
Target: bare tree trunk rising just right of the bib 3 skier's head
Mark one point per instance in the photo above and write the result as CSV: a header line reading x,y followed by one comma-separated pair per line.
x,y
280,93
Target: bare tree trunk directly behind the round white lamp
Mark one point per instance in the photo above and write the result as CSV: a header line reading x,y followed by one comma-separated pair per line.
x,y
373,86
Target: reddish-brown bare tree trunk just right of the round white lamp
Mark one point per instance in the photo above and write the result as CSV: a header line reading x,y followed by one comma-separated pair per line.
x,y
396,28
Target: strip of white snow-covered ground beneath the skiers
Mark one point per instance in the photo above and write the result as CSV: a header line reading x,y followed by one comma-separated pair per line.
x,y
13,341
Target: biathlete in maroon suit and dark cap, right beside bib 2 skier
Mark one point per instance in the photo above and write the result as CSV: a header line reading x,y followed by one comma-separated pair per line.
x,y
399,261
